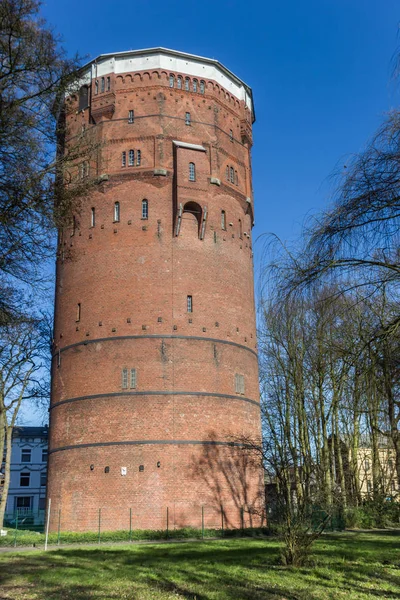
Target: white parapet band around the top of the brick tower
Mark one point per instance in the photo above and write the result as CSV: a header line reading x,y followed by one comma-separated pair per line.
x,y
168,60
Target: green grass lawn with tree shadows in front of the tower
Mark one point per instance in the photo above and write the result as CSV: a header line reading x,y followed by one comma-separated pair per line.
x,y
350,565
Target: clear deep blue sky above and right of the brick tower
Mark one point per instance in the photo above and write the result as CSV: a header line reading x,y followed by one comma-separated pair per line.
x,y
320,72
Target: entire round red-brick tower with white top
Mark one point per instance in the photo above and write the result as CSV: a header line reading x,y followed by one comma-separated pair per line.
x,y
155,374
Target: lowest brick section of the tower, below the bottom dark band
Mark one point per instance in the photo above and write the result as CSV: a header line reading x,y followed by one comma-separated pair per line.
x,y
211,487
